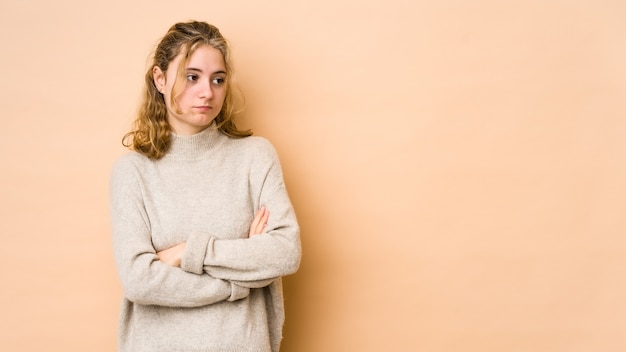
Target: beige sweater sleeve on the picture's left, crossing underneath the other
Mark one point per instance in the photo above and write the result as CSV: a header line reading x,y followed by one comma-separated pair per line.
x,y
145,280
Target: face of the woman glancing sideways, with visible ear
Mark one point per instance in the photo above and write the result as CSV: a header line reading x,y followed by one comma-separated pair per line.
x,y
200,97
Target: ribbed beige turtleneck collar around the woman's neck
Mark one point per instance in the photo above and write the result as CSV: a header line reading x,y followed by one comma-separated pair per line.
x,y
193,146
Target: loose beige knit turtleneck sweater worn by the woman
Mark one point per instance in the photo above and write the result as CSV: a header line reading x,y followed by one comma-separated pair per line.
x,y
227,295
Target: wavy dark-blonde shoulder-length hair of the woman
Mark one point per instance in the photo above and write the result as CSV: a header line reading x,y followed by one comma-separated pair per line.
x,y
151,133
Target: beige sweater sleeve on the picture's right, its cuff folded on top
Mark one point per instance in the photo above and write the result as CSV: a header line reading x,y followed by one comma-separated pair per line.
x,y
256,261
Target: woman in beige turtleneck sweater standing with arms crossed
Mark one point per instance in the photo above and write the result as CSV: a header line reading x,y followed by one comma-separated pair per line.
x,y
199,257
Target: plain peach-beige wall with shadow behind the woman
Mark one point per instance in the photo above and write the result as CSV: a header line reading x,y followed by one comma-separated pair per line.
x,y
458,167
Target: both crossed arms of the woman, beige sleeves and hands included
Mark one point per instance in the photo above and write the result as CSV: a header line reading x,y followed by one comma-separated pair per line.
x,y
205,269
